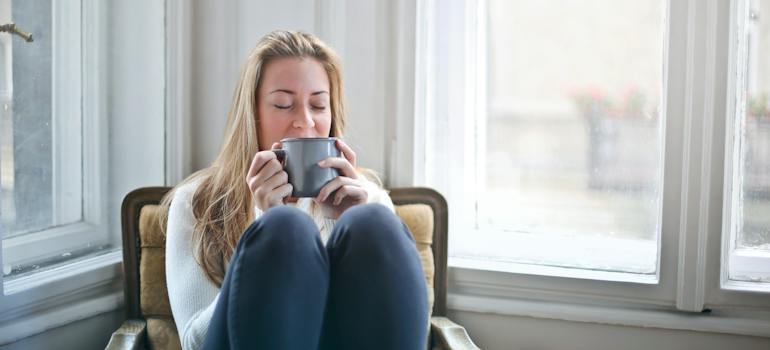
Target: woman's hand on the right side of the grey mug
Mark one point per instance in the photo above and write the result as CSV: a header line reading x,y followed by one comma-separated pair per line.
x,y
349,188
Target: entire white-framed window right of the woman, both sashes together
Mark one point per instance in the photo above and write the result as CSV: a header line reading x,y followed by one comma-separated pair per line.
x,y
586,149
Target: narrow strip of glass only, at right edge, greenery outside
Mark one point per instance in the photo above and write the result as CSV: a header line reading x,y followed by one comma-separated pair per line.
x,y
754,213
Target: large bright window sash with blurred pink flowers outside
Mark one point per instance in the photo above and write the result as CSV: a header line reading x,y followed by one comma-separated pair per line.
x,y
563,136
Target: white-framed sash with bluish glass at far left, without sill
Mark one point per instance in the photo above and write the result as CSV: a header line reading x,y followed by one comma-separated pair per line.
x,y
48,211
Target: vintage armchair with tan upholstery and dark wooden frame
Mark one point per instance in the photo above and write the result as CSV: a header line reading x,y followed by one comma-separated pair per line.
x,y
150,325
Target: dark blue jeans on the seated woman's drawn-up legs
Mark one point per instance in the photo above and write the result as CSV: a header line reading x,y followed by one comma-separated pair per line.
x,y
285,290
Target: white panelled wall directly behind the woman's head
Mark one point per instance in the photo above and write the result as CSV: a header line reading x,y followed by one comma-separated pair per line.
x,y
223,34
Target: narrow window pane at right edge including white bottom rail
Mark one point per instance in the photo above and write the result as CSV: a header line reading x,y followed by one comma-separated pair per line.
x,y
751,235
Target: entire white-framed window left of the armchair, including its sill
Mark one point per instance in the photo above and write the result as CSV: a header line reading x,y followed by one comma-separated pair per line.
x,y
82,115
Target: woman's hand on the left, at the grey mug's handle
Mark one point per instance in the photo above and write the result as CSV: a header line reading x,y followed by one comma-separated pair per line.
x,y
267,181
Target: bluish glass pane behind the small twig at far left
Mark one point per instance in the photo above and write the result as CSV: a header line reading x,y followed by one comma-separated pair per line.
x,y
35,195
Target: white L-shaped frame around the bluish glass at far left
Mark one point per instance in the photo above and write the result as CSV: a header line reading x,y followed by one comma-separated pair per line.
x,y
69,156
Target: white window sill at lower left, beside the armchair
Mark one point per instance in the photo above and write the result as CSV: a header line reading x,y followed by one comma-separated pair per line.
x,y
64,294
